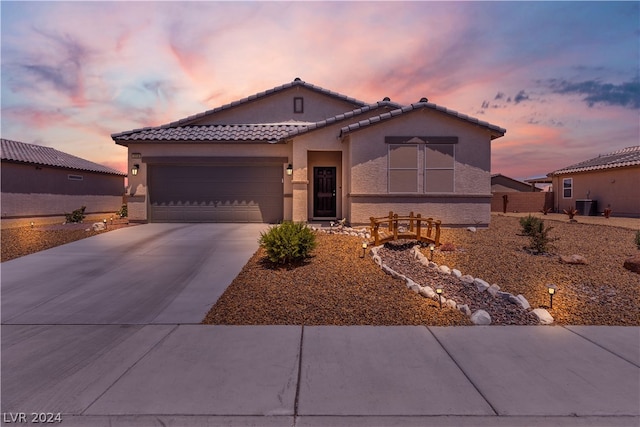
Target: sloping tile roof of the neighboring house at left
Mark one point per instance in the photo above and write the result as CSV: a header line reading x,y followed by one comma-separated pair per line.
x,y
20,152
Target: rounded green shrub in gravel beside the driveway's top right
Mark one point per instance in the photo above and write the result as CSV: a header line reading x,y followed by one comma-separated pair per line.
x,y
288,242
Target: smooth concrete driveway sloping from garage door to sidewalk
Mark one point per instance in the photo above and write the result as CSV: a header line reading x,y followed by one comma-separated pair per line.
x,y
148,274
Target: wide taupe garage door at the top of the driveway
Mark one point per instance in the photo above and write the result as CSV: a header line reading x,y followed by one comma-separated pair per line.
x,y
216,193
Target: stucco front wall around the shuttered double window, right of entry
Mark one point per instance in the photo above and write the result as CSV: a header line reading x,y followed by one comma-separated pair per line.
x,y
468,204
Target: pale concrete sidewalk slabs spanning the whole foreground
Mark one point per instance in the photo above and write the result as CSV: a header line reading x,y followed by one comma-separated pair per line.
x,y
197,375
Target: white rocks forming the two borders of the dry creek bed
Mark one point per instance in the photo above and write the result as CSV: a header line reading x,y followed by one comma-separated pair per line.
x,y
478,317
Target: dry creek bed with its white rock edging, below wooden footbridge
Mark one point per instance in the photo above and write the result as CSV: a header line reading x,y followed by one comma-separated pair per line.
x,y
515,309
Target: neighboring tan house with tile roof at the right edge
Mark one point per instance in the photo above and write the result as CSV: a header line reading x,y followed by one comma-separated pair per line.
x,y
607,181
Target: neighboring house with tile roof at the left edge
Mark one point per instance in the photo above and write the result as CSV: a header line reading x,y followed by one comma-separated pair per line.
x,y
42,181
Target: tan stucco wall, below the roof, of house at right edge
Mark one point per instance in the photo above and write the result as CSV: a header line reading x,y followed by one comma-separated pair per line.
x,y
618,188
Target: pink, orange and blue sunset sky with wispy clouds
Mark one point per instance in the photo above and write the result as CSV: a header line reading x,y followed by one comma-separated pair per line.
x,y
561,77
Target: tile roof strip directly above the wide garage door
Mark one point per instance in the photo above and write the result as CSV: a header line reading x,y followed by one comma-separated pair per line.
x,y
268,132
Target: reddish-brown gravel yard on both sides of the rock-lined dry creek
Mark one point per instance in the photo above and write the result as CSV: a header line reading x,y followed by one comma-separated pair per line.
x,y
337,287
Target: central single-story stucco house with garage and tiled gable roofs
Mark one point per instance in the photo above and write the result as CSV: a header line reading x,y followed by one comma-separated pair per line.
x,y
300,152
